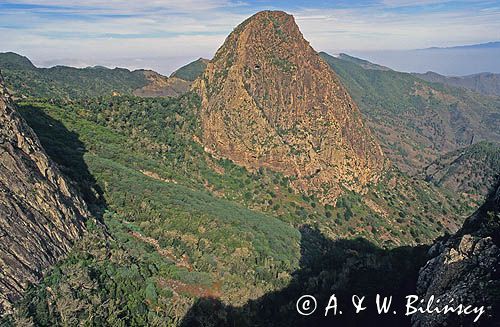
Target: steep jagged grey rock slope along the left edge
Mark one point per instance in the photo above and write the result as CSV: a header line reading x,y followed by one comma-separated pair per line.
x,y
40,215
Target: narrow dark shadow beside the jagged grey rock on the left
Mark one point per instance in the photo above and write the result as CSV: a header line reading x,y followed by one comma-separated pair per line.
x,y
65,148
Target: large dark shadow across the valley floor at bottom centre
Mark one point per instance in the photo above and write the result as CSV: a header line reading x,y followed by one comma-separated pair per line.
x,y
341,267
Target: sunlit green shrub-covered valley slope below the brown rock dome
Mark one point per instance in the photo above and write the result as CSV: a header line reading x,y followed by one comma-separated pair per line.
x,y
185,225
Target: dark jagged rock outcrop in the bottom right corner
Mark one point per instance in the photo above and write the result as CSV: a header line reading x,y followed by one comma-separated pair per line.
x,y
466,268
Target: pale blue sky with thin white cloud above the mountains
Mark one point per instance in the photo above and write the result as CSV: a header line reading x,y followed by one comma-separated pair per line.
x,y
165,34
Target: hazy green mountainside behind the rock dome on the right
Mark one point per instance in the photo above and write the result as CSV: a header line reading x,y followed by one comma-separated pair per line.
x,y
417,121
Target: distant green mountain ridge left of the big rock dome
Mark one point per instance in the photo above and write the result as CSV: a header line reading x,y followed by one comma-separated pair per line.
x,y
27,80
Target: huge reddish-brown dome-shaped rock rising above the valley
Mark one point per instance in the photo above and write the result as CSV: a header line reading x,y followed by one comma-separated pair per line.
x,y
269,100
